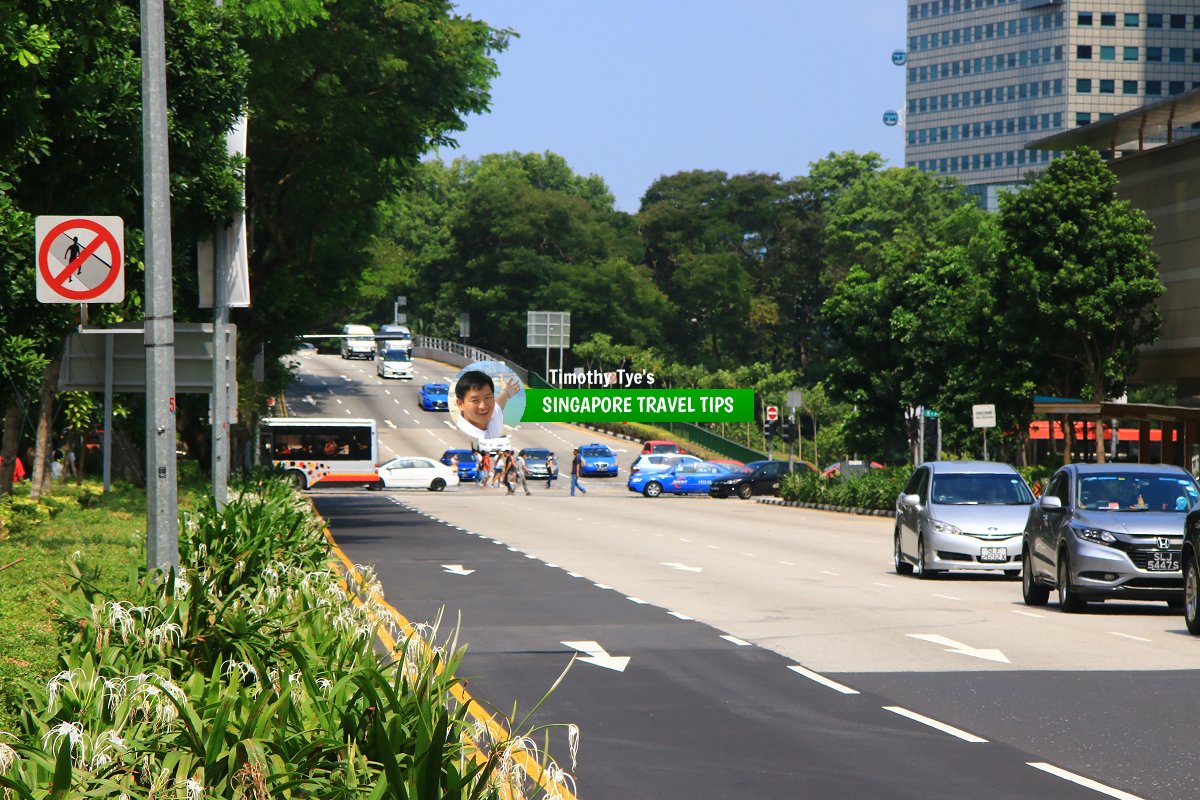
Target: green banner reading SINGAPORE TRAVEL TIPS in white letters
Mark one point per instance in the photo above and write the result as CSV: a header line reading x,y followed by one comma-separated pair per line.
x,y
639,406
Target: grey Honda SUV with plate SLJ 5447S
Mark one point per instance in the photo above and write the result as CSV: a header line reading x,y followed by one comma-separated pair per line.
x,y
1108,531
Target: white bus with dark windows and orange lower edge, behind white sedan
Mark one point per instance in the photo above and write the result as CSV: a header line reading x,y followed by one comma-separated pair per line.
x,y
322,452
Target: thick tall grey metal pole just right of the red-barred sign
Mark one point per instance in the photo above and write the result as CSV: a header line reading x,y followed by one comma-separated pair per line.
x,y
163,500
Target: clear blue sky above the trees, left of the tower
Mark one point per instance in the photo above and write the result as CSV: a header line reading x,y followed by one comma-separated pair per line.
x,y
635,89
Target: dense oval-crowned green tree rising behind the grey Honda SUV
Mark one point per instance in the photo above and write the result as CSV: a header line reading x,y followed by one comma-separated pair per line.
x,y
1083,279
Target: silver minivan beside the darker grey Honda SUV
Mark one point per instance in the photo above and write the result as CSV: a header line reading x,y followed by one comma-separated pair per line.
x,y
962,515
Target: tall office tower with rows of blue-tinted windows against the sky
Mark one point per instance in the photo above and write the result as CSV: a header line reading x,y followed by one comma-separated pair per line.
x,y
987,77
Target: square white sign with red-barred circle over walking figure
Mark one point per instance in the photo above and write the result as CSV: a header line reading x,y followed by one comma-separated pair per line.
x,y
80,260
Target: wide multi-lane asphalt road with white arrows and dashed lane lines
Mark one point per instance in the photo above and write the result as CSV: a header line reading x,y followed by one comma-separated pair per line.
x,y
697,715
